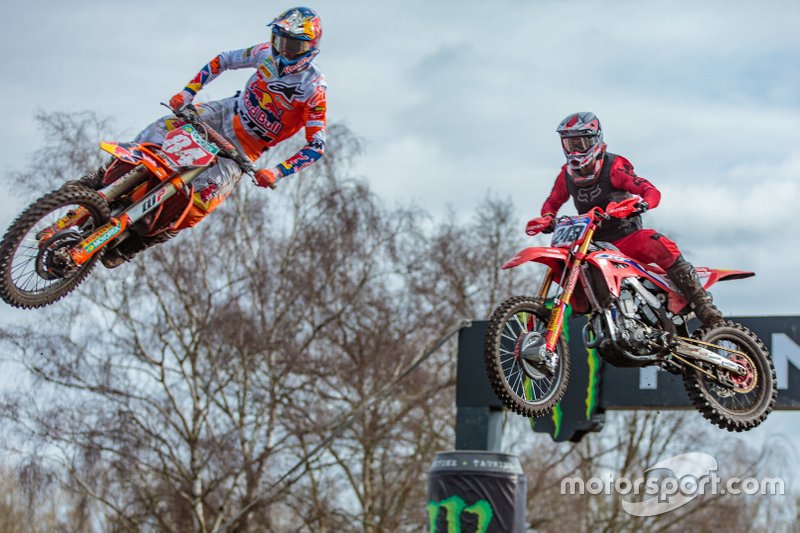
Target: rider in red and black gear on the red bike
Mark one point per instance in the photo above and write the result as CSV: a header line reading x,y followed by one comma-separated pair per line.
x,y
594,177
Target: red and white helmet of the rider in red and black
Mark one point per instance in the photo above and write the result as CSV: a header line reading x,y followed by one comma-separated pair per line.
x,y
582,142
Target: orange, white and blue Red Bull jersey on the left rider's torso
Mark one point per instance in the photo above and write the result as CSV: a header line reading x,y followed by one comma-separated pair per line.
x,y
272,108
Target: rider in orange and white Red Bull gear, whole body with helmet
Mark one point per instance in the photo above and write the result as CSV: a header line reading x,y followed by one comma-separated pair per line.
x,y
285,94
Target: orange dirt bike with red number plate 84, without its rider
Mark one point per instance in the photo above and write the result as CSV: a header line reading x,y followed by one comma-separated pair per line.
x,y
146,191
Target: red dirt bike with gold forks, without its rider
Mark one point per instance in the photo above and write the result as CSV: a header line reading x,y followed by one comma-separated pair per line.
x,y
636,318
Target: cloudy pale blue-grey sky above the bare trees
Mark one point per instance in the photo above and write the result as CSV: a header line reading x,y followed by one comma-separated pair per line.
x,y
457,99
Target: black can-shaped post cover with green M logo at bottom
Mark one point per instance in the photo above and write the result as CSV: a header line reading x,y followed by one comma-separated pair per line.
x,y
476,492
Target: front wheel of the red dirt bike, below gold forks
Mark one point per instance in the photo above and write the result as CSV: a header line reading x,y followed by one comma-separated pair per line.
x,y
523,387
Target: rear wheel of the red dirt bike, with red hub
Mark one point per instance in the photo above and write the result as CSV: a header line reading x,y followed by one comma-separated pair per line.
x,y
744,401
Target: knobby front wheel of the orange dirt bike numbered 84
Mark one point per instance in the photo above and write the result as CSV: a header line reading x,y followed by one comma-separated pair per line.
x,y
35,268
